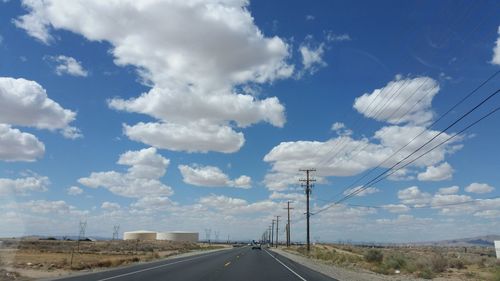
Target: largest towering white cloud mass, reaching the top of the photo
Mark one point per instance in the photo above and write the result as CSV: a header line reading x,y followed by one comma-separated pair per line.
x,y
194,77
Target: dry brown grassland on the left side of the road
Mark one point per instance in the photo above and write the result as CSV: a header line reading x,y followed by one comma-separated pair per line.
x,y
33,256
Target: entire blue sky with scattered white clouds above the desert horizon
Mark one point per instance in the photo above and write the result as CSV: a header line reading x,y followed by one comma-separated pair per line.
x,y
195,115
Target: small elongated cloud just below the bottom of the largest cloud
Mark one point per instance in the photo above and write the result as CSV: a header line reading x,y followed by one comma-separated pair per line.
x,y
211,176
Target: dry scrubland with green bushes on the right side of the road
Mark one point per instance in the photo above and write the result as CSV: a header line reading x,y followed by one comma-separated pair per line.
x,y
471,263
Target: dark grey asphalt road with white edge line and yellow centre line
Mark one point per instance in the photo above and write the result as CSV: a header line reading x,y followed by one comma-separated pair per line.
x,y
241,264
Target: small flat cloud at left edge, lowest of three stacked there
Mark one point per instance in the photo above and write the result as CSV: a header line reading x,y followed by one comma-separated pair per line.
x,y
24,186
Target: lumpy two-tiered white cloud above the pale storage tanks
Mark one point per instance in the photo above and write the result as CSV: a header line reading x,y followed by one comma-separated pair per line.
x,y
141,179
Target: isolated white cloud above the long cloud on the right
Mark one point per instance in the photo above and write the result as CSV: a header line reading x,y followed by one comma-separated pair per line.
x,y
400,101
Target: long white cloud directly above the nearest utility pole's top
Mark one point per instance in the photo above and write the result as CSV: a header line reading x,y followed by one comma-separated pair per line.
x,y
346,156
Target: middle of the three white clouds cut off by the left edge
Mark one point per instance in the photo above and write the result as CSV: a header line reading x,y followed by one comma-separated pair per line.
x,y
18,146
